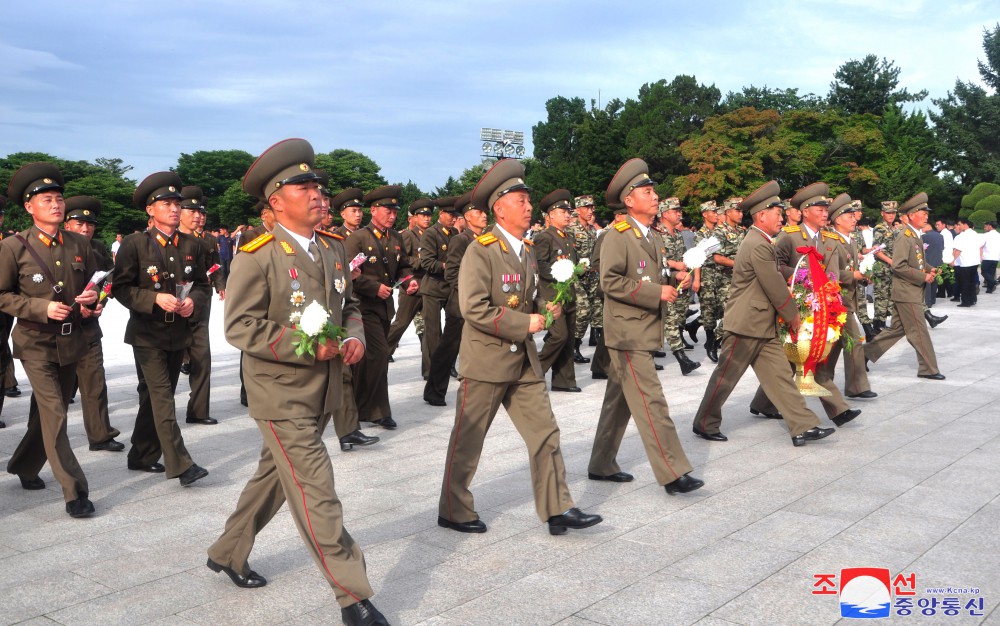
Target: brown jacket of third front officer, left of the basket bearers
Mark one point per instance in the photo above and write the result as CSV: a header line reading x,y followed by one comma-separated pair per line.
x,y
630,278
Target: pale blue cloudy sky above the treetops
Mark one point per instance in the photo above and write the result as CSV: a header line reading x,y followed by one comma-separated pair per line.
x,y
411,83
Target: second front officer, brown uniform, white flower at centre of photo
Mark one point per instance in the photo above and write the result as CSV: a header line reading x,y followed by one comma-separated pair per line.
x,y
499,362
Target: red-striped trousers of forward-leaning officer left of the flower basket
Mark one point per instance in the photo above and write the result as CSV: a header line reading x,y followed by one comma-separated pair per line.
x,y
771,367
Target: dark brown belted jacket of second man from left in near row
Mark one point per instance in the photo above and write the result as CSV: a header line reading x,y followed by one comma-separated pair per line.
x,y
151,263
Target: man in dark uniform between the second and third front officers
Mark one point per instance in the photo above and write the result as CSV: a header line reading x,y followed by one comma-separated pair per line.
x,y
551,245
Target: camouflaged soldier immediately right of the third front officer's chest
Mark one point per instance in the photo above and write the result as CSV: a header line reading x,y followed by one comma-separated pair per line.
x,y
675,313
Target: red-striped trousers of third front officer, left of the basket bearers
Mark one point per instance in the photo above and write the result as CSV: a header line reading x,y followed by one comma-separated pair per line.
x,y
635,390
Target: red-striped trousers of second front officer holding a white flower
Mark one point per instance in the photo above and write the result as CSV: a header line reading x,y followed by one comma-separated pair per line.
x,y
527,403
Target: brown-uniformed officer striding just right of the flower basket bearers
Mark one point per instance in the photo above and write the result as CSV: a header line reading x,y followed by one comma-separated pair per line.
x,y
841,258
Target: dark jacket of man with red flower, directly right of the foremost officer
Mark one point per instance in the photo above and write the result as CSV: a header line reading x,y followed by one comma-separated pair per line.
x,y
385,265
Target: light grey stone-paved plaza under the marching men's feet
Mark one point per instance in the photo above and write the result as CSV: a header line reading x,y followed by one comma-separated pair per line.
x,y
912,485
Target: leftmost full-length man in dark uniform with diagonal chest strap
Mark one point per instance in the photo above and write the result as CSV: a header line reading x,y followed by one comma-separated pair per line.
x,y
43,273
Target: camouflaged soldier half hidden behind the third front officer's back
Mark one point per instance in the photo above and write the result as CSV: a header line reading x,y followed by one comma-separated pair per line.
x,y
589,305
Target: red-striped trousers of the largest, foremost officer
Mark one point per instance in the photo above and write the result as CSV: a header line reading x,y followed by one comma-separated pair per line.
x,y
295,466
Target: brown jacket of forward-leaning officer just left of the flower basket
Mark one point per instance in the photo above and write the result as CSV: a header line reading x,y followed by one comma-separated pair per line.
x,y
758,293
